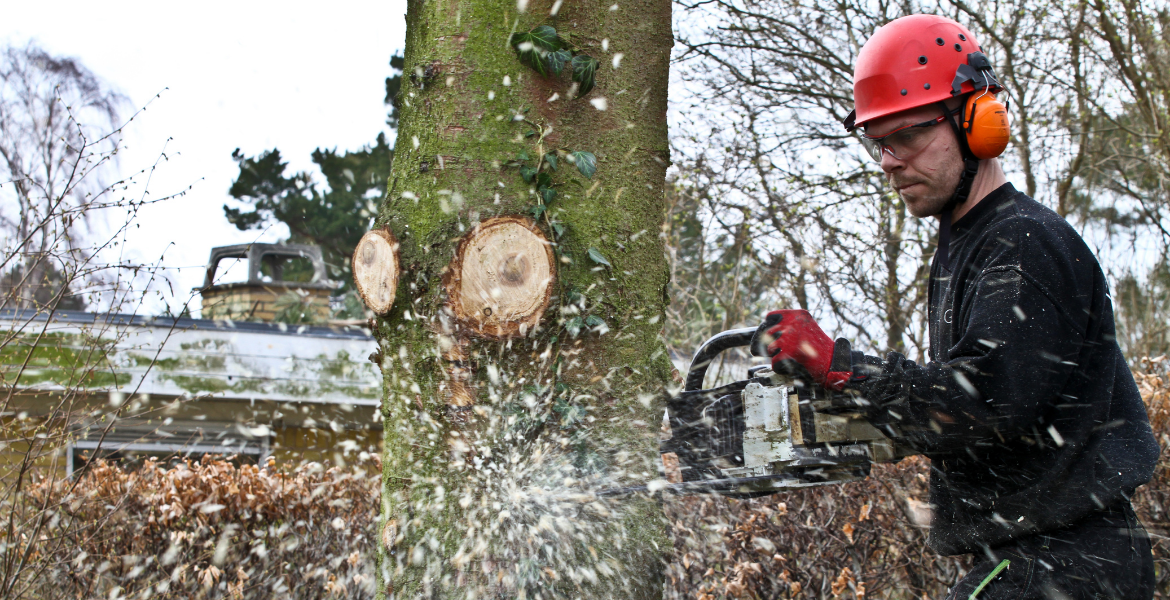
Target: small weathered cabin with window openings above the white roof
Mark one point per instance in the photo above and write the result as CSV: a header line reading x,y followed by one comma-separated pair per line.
x,y
256,299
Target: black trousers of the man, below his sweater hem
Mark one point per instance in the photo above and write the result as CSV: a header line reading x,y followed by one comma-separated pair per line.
x,y
1105,556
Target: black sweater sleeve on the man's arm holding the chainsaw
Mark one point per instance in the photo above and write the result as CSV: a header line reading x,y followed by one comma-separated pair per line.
x,y
1014,362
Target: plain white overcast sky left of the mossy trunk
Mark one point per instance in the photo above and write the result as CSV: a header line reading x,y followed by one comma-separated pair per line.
x,y
246,74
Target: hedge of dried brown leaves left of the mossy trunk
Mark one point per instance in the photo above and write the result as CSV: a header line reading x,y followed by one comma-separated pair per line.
x,y
208,530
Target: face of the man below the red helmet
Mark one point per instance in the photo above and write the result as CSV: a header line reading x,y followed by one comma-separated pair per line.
x,y
927,181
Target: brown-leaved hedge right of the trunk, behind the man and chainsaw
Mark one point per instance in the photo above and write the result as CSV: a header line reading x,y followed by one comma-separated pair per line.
x,y
861,540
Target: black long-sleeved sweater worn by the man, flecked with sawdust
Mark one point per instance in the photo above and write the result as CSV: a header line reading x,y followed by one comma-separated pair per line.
x,y
1028,410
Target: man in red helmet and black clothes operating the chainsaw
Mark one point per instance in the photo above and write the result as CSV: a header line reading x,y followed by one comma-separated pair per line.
x,y
1031,418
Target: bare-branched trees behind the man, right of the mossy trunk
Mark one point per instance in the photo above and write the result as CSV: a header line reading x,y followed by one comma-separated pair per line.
x,y
775,205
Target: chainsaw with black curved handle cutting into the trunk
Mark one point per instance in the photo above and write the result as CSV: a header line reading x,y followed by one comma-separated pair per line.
x,y
761,436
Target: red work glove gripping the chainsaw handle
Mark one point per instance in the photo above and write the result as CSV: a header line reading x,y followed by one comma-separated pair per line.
x,y
793,336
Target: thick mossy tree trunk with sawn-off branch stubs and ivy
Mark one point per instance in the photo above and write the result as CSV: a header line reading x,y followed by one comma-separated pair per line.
x,y
522,361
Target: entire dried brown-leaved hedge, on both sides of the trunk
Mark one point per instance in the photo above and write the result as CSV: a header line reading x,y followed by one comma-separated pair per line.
x,y
216,530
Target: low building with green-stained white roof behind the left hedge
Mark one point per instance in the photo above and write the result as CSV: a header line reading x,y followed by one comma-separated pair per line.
x,y
127,388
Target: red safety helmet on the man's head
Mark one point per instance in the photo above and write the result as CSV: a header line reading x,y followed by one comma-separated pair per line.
x,y
914,61
